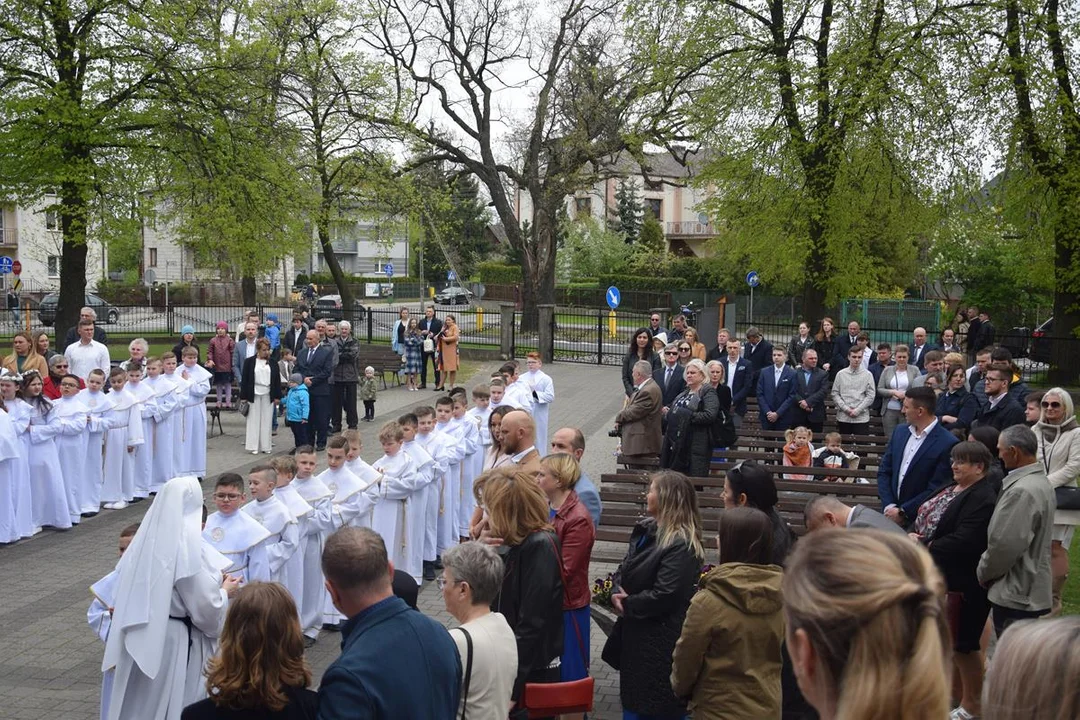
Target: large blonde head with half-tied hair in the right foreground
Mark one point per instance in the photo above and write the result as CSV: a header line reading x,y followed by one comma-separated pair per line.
x,y
866,626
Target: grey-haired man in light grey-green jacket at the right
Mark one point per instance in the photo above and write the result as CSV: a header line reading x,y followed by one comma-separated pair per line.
x,y
1016,566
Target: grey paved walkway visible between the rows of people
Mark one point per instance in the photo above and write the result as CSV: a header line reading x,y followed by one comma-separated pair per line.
x,y
51,662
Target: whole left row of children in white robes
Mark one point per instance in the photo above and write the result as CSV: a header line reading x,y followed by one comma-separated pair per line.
x,y
70,456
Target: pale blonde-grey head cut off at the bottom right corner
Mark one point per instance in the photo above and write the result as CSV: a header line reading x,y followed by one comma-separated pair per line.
x,y
1035,671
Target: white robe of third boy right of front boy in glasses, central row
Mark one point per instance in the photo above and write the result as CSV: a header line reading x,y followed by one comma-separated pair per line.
x,y
315,528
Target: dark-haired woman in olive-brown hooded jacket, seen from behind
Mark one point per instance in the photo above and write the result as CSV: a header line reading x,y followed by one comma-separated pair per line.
x,y
727,660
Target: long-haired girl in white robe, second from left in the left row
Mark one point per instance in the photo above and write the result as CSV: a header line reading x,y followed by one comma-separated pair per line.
x,y
49,494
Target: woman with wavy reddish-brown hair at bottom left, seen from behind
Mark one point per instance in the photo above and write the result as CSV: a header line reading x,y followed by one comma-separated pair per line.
x,y
260,671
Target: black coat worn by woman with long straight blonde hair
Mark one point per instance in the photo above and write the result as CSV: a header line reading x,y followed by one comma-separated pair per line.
x,y
660,582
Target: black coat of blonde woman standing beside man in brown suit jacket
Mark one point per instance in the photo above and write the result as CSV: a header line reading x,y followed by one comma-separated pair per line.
x,y
688,441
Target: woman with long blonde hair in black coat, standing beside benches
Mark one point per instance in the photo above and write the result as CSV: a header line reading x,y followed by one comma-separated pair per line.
x,y
654,587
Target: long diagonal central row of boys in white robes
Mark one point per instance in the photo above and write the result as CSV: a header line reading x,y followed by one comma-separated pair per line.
x,y
418,496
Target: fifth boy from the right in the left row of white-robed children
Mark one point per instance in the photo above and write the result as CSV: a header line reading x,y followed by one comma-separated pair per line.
x,y
124,437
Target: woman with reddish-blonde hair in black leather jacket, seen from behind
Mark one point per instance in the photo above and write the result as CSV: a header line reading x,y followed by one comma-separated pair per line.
x,y
532,595
